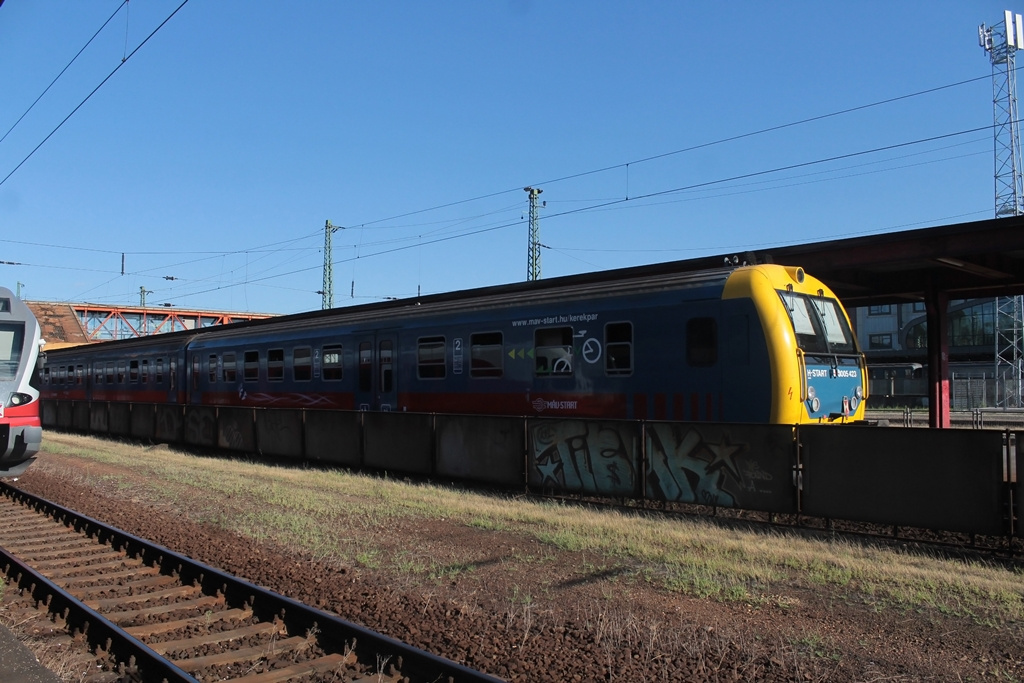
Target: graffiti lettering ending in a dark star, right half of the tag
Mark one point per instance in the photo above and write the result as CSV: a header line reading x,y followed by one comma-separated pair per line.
x,y
686,466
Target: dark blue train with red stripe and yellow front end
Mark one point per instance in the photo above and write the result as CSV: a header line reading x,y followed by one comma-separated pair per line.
x,y
755,344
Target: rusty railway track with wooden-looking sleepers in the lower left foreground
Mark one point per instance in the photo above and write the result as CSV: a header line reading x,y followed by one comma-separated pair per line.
x,y
152,615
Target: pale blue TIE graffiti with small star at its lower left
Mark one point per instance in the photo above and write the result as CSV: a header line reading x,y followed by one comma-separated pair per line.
x,y
584,456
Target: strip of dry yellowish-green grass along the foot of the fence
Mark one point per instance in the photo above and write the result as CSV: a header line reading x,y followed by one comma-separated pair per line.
x,y
304,510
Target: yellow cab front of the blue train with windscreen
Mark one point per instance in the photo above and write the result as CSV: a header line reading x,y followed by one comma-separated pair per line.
x,y
818,371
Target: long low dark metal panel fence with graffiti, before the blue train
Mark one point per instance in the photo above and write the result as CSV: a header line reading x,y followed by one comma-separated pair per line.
x,y
962,481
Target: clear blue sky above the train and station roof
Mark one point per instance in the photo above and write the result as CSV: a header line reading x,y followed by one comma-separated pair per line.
x,y
216,154
